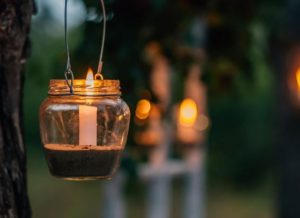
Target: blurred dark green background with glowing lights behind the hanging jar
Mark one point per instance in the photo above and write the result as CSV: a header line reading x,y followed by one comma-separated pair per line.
x,y
213,90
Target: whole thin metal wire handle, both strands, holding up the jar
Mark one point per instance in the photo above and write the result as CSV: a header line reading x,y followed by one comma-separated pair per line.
x,y
69,76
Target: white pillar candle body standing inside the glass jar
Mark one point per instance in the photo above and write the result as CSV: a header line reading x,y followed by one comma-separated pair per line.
x,y
87,125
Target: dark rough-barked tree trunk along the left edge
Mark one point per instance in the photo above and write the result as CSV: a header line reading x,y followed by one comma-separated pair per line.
x,y
15,17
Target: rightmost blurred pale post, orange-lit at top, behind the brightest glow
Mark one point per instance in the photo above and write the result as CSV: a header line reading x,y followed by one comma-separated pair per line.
x,y
194,205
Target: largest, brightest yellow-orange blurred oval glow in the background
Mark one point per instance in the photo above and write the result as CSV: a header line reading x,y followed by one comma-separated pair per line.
x,y
188,113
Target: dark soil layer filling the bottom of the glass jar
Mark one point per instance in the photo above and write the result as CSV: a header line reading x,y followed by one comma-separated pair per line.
x,y
82,162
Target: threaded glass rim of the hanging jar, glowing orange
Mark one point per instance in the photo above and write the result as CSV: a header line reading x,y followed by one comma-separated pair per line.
x,y
82,88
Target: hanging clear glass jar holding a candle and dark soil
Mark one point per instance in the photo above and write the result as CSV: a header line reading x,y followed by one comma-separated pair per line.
x,y
84,134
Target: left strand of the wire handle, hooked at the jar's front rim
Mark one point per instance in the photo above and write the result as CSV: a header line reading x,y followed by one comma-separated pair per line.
x,y
69,76
